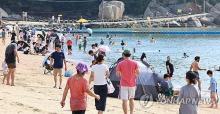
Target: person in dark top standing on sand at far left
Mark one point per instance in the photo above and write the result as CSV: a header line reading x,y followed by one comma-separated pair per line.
x,y
10,59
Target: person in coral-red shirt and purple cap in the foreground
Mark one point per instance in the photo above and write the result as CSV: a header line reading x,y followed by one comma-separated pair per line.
x,y
79,88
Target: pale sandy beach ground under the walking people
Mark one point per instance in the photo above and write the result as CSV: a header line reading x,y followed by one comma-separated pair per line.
x,y
33,93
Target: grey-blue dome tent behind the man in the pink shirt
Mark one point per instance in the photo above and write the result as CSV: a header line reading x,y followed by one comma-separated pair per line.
x,y
146,82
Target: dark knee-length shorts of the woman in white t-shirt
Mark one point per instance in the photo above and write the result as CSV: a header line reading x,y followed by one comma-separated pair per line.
x,y
102,91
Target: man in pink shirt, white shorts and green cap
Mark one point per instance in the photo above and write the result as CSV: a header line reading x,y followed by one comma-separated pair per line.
x,y
128,71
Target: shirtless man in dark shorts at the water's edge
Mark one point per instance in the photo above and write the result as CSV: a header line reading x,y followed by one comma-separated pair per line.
x,y
195,68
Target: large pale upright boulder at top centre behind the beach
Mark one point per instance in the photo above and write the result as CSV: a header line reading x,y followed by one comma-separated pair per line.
x,y
111,10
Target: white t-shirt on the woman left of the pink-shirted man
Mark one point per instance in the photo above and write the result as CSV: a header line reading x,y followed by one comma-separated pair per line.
x,y
100,74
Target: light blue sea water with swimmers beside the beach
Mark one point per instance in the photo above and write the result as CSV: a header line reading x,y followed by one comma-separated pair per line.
x,y
205,46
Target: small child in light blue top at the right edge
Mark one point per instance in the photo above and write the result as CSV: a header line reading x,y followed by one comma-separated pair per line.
x,y
213,89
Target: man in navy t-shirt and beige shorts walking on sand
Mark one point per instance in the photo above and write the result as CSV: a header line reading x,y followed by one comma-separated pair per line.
x,y
57,60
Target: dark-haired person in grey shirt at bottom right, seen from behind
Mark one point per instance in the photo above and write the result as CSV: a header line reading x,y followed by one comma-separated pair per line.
x,y
189,95
